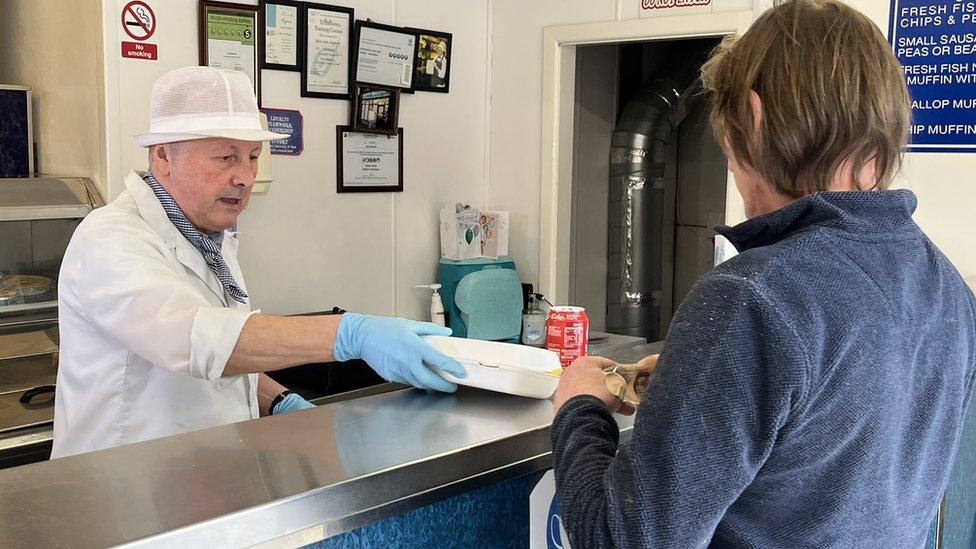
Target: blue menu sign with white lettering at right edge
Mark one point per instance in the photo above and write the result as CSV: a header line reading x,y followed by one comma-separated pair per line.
x,y
935,40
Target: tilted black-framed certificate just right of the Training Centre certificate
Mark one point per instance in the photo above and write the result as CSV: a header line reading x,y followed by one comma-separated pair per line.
x,y
385,55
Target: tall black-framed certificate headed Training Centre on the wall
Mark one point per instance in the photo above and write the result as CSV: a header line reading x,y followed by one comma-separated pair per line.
x,y
326,51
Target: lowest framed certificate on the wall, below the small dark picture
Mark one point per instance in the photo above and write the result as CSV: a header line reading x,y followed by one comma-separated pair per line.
x,y
370,160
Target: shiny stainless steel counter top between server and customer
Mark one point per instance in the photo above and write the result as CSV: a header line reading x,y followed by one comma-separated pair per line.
x,y
284,480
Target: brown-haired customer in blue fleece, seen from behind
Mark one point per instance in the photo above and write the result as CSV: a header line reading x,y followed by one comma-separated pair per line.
x,y
811,390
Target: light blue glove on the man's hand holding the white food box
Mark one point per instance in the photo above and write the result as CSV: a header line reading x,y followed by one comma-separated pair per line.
x,y
393,348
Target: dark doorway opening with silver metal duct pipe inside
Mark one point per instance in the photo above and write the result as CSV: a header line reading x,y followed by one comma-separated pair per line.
x,y
648,183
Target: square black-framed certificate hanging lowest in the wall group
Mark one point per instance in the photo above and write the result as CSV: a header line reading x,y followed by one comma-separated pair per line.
x,y
368,162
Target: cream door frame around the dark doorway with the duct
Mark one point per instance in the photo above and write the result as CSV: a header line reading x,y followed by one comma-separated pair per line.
x,y
558,99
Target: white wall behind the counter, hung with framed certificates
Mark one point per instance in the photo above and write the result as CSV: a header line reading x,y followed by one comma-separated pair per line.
x,y
305,247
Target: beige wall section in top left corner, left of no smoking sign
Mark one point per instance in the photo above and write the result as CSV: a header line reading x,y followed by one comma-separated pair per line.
x,y
41,46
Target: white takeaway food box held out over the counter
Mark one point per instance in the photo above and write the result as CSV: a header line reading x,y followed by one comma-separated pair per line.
x,y
503,367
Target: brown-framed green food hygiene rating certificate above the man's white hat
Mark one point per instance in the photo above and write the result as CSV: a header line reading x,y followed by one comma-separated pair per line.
x,y
229,38
